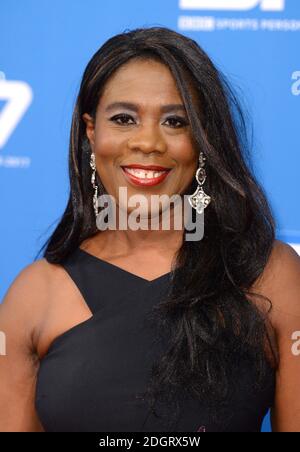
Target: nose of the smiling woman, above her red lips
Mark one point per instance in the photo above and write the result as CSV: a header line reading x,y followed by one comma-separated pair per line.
x,y
147,138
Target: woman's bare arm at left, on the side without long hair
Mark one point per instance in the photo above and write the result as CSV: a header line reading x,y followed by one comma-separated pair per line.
x,y
20,314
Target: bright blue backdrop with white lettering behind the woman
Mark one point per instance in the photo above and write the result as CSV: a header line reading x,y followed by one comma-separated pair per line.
x,y
44,48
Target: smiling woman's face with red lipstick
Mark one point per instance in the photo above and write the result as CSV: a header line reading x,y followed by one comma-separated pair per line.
x,y
141,120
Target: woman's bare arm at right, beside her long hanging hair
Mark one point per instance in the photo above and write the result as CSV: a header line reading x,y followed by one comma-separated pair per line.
x,y
281,283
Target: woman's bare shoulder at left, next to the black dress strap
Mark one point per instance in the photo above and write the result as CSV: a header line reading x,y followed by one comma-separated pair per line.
x,y
46,302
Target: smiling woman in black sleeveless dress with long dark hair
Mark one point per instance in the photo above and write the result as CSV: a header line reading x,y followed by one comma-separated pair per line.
x,y
141,329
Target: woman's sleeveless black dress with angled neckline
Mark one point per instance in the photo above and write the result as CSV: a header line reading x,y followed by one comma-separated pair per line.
x,y
92,374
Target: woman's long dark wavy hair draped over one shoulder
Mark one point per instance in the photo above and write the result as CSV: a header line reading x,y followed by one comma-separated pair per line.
x,y
209,313
